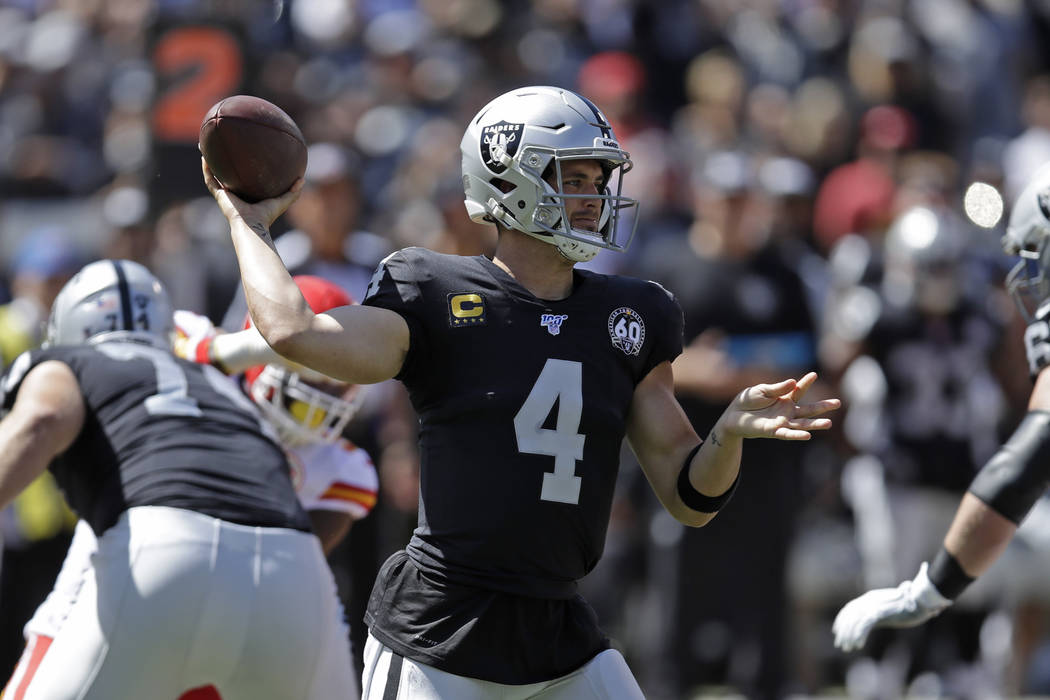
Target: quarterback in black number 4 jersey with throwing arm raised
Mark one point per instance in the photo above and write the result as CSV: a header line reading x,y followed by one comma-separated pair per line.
x,y
527,375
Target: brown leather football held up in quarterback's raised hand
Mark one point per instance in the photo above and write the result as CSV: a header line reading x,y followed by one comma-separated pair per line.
x,y
254,147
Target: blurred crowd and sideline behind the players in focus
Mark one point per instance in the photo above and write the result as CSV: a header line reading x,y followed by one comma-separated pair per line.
x,y
802,166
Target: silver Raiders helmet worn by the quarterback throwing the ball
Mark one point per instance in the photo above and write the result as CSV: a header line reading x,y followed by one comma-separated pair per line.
x,y
521,137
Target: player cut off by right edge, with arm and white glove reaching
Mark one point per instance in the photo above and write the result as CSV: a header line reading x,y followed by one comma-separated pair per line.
x,y
1009,485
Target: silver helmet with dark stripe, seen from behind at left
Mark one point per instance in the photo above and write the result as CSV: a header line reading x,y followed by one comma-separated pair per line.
x,y
112,301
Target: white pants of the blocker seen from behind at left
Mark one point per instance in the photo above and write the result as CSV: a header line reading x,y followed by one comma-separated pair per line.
x,y
175,600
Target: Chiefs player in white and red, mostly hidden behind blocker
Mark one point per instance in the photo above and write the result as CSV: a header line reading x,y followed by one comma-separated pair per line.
x,y
335,481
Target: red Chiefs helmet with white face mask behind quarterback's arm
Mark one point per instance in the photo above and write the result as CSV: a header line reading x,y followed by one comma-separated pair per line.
x,y
305,407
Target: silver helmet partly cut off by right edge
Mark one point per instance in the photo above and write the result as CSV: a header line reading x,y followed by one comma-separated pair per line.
x,y
1028,236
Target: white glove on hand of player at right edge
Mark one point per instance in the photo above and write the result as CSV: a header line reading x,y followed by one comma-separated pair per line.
x,y
909,605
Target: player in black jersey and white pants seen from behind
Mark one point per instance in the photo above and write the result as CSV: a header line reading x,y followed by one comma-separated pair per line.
x,y
206,572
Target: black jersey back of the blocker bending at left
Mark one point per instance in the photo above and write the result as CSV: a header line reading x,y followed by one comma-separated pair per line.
x,y
163,432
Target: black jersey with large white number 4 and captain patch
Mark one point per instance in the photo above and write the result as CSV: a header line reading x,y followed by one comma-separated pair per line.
x,y
523,407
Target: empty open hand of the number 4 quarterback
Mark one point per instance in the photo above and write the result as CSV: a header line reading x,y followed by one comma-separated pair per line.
x,y
773,411
